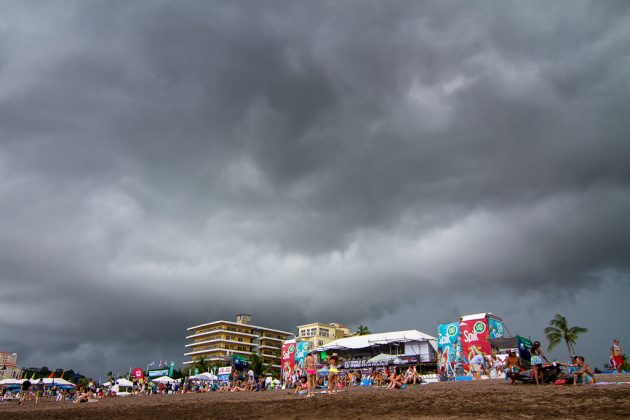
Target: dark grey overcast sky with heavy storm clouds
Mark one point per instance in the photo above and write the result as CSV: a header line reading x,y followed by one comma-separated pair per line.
x,y
385,163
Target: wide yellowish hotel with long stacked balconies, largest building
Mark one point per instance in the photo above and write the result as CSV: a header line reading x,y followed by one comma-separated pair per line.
x,y
217,340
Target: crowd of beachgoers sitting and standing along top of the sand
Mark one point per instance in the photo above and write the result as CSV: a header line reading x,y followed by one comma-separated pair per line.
x,y
328,381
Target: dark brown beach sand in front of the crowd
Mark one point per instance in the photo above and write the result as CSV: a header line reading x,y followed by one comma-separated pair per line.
x,y
491,399
